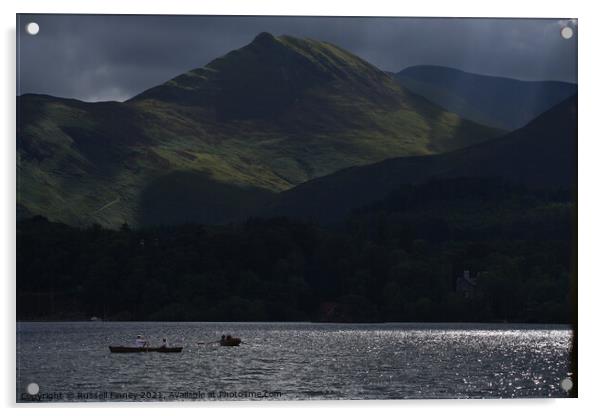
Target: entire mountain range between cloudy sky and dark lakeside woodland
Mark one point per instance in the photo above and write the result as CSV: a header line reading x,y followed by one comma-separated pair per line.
x,y
299,126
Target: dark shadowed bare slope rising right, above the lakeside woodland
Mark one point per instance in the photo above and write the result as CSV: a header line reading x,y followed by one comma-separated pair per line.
x,y
540,155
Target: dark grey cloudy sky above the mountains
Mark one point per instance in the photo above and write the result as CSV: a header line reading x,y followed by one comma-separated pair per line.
x,y
112,57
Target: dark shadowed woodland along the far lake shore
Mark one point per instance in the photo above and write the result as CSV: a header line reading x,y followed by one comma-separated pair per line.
x,y
396,260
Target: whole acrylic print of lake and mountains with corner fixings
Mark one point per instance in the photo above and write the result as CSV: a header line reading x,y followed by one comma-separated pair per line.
x,y
291,208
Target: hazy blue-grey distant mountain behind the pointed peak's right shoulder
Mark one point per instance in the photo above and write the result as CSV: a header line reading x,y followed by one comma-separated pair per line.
x,y
494,101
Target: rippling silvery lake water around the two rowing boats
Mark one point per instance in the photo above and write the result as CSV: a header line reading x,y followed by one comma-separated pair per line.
x,y
289,361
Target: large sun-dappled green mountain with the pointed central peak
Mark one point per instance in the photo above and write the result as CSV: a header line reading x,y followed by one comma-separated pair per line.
x,y
261,119
